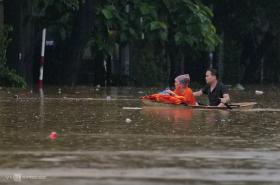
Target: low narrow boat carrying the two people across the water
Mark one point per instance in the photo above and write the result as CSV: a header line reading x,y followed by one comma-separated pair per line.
x,y
243,105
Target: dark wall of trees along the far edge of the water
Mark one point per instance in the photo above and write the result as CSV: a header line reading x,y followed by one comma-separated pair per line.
x,y
144,42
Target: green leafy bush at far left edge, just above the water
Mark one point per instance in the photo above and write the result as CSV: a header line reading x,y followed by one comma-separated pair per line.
x,y
8,77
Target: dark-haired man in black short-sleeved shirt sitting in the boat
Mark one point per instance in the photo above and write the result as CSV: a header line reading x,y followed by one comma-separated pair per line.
x,y
216,91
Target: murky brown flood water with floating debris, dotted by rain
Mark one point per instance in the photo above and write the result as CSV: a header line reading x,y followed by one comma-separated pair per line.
x,y
100,140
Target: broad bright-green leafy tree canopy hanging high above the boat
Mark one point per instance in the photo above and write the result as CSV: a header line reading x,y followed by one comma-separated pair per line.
x,y
183,22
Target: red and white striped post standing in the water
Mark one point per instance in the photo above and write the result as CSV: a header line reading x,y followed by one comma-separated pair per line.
x,y
42,59
